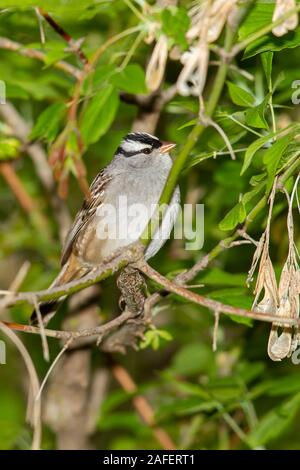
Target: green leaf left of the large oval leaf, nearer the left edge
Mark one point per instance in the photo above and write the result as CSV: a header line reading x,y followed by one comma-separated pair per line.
x,y
48,122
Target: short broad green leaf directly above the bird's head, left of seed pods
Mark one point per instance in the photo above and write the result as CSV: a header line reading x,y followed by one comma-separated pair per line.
x,y
131,79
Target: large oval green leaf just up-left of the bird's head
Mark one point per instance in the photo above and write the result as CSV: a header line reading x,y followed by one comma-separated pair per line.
x,y
99,114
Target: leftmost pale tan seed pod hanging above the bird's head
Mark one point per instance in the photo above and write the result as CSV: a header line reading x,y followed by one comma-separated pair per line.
x,y
157,64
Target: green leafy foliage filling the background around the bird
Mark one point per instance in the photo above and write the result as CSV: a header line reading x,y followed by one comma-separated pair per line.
x,y
234,398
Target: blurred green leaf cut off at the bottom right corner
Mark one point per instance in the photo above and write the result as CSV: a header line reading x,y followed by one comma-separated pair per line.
x,y
275,422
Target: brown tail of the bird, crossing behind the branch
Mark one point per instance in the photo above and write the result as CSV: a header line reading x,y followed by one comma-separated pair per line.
x,y
71,270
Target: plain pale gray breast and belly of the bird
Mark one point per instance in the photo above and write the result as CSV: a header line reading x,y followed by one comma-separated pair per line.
x,y
132,195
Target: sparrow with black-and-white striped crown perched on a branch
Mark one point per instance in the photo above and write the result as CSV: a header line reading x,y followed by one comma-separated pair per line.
x,y
121,202
